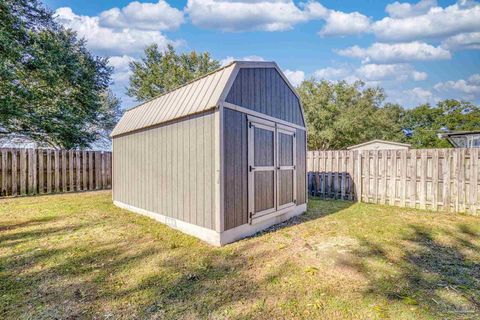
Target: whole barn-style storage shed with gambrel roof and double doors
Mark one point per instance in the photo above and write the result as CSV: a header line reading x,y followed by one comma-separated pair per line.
x,y
219,158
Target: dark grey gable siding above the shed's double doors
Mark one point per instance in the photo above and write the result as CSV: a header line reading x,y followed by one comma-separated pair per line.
x,y
264,90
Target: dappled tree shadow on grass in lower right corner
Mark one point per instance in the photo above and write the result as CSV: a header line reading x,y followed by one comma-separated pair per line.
x,y
442,277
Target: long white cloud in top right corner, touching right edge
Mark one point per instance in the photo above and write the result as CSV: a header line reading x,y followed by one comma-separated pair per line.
x,y
437,22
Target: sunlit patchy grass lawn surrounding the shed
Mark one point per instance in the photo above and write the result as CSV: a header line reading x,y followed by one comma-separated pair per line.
x,y
78,256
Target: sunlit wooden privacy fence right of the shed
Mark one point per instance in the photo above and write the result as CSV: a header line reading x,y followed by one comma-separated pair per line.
x,y
434,179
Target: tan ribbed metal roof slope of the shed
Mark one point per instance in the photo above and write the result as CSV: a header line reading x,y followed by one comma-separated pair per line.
x,y
199,95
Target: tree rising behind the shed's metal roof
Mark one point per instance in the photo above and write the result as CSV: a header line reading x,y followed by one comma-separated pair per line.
x,y
159,72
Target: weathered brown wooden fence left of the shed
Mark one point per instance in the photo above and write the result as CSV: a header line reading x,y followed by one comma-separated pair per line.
x,y
39,171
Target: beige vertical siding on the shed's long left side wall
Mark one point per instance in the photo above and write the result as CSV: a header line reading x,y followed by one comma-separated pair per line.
x,y
169,170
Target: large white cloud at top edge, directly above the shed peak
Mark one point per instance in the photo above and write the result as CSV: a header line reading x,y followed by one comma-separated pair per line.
x,y
225,15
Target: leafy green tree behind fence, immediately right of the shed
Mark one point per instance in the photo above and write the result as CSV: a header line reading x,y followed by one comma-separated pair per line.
x,y
339,114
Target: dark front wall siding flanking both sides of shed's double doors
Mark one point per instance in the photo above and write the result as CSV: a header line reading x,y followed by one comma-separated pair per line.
x,y
236,168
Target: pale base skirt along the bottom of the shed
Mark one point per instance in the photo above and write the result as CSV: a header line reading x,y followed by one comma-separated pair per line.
x,y
211,236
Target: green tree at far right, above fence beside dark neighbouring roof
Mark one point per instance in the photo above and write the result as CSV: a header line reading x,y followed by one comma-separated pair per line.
x,y
424,122
